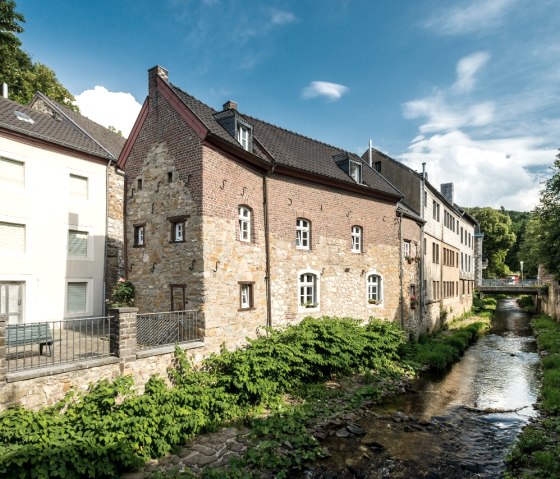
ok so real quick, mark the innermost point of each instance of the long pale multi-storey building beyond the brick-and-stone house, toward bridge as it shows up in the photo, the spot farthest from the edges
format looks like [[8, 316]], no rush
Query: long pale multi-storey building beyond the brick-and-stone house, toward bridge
[[451, 240]]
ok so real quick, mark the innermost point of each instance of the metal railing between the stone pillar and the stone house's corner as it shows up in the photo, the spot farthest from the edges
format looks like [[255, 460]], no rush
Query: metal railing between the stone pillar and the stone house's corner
[[161, 329]]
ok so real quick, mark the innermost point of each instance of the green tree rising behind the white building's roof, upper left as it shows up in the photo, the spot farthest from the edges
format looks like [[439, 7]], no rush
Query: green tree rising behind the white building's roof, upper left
[[23, 76]]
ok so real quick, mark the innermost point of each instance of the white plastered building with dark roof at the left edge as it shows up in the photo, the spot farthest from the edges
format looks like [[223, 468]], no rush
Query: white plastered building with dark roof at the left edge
[[60, 212]]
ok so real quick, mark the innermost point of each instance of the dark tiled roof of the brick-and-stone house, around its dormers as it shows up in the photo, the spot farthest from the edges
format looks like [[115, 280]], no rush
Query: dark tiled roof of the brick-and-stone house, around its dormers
[[288, 148]]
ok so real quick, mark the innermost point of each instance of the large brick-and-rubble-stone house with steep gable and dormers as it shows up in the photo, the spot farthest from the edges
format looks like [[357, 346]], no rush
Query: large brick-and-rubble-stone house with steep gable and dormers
[[256, 225]]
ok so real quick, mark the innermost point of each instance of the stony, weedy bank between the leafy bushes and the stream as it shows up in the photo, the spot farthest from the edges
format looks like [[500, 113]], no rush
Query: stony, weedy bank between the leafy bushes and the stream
[[302, 425]]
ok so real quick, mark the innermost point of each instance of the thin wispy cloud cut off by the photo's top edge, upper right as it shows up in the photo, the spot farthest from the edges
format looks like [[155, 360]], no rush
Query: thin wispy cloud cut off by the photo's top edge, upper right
[[475, 16]]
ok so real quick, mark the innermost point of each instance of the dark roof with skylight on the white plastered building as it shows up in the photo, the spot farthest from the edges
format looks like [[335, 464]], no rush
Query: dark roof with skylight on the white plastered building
[[63, 129]]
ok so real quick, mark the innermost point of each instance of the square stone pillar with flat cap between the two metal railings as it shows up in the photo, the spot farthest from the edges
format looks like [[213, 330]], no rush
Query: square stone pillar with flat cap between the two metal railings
[[122, 341]]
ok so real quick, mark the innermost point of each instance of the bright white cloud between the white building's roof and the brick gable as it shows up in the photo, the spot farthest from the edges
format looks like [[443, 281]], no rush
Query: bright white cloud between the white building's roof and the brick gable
[[108, 108]]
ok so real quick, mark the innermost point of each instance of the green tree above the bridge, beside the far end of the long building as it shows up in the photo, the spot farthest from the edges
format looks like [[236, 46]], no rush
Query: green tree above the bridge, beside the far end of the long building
[[498, 239]]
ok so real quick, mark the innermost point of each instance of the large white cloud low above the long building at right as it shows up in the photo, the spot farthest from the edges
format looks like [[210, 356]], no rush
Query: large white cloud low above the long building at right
[[484, 172]]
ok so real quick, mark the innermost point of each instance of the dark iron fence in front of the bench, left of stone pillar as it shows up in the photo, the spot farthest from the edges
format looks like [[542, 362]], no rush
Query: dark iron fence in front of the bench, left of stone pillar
[[42, 344]]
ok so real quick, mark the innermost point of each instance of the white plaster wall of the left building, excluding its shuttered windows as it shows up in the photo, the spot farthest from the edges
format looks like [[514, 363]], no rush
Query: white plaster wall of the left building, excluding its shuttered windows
[[46, 207]]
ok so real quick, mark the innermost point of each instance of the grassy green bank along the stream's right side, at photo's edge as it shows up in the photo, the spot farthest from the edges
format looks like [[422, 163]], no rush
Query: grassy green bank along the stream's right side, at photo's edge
[[537, 451]]
